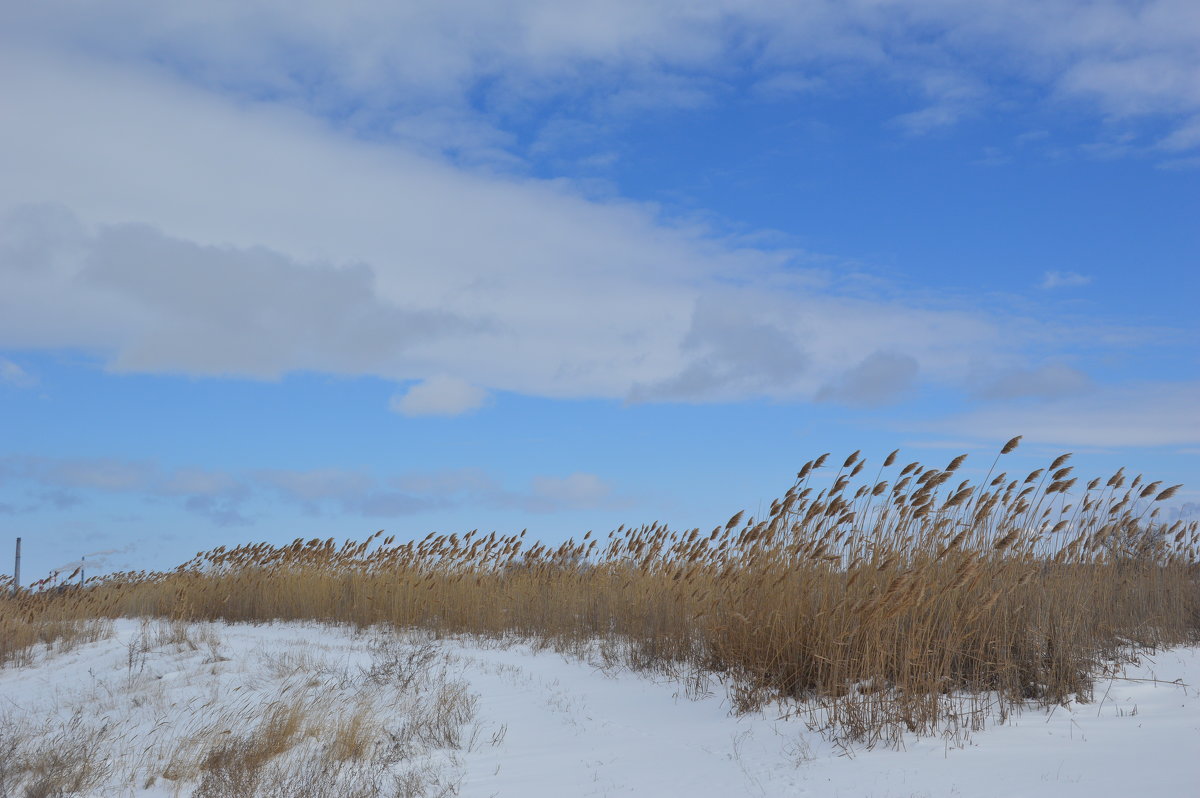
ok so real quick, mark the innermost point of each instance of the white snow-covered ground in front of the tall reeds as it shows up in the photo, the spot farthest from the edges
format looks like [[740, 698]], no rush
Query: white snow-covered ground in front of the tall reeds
[[537, 724]]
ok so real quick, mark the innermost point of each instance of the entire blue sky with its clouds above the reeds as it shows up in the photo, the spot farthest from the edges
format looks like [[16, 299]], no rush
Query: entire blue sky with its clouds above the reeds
[[308, 269]]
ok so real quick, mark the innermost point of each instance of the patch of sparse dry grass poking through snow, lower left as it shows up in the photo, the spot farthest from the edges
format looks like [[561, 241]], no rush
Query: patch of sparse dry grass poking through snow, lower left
[[173, 711]]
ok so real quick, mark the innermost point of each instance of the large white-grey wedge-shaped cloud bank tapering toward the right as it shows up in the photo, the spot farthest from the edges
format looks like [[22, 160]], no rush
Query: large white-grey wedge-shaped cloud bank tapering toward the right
[[267, 244]]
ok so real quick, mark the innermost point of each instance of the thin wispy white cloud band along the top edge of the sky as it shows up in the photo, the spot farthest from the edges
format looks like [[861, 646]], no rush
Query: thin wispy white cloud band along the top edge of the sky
[[399, 62]]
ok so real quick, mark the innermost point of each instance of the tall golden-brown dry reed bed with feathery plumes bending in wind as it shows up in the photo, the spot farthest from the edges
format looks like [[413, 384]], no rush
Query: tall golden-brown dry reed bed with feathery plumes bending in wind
[[909, 602]]
